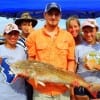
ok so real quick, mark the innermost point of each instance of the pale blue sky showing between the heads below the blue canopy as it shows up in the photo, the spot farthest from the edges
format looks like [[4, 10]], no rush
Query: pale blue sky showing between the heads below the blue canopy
[[4, 21]]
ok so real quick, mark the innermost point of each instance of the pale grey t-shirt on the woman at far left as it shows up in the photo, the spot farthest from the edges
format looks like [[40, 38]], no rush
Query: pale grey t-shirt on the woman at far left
[[14, 91]]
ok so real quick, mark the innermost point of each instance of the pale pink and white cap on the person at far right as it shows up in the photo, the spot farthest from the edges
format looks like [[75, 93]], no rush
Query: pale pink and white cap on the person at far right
[[90, 22]]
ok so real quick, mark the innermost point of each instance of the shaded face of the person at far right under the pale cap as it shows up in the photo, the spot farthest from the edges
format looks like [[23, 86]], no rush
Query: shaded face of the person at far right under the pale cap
[[89, 34]]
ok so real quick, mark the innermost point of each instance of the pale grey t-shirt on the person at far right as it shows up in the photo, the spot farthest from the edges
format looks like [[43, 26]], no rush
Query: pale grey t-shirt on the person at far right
[[82, 51]]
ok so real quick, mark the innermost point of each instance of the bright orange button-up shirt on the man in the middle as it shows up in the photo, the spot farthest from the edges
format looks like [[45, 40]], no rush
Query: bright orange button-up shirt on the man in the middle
[[57, 51]]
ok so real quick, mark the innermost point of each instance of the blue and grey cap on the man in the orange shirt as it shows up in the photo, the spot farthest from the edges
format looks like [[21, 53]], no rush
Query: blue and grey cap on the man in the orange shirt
[[52, 5]]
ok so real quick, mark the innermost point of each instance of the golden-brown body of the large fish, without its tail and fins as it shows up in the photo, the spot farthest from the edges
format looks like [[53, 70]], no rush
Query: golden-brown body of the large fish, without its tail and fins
[[44, 72]]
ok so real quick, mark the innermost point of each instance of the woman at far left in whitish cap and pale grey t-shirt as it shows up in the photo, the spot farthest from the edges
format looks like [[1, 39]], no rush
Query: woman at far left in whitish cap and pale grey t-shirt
[[13, 53]]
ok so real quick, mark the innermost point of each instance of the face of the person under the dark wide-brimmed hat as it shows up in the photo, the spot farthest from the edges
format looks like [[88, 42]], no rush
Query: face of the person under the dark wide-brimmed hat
[[25, 27]]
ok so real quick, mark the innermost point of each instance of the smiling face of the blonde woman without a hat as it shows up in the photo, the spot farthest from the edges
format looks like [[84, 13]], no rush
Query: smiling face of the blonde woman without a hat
[[74, 28]]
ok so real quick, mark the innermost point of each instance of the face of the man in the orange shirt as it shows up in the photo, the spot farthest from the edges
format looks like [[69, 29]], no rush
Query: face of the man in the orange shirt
[[52, 17]]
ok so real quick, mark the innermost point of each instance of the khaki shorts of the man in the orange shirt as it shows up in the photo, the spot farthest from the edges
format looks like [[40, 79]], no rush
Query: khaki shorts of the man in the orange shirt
[[39, 96]]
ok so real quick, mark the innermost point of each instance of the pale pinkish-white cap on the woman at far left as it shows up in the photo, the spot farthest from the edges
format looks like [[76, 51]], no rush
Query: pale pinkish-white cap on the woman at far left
[[11, 27]]
